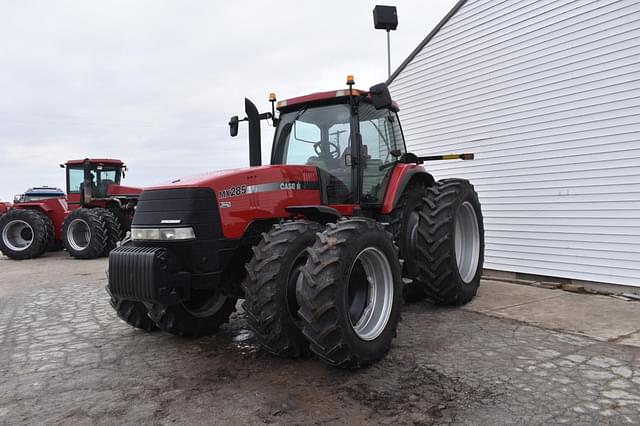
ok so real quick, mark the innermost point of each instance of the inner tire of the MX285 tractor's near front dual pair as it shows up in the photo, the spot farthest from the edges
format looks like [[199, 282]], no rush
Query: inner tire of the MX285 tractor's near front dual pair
[[273, 274]]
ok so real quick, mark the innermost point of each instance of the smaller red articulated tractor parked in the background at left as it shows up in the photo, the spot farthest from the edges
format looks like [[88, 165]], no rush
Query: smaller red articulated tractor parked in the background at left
[[88, 223]]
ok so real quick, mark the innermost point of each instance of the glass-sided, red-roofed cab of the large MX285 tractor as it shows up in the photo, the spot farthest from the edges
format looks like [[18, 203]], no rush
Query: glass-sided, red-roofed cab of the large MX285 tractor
[[319, 129]]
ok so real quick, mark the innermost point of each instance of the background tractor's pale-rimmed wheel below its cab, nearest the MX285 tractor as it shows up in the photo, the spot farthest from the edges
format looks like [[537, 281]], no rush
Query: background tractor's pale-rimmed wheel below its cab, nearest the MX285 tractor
[[84, 234]]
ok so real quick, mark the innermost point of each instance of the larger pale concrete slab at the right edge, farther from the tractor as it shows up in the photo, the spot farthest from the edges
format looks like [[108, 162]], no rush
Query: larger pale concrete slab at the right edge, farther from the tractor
[[595, 316]]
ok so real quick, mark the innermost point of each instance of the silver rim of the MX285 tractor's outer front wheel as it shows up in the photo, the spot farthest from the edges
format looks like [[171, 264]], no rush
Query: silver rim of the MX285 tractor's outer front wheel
[[370, 293]]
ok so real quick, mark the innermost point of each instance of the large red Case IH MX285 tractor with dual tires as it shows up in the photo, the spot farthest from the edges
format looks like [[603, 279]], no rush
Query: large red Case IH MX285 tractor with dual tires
[[319, 243]]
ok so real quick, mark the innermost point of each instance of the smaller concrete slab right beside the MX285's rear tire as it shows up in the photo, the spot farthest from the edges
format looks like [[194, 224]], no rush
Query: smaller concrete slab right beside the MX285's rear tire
[[494, 295]]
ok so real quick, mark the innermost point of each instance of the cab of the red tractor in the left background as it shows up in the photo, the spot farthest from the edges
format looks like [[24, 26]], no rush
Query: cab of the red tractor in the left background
[[90, 179]]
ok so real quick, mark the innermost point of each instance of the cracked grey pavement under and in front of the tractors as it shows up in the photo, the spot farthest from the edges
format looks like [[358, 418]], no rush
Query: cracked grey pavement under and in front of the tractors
[[65, 358]]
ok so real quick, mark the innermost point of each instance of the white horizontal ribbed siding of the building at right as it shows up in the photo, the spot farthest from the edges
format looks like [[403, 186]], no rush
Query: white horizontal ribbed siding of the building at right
[[547, 95]]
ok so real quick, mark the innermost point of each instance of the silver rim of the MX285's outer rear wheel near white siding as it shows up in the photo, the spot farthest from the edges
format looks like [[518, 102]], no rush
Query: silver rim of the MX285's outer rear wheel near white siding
[[467, 242]]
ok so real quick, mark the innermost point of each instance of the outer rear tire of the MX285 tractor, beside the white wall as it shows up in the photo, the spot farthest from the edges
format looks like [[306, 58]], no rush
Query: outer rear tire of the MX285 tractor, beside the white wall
[[451, 242]]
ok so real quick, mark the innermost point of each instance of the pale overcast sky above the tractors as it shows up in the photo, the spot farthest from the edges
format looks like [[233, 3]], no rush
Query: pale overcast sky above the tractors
[[154, 82]]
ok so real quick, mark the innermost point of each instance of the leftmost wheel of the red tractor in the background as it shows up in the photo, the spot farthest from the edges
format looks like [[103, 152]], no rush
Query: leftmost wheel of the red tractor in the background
[[24, 233]]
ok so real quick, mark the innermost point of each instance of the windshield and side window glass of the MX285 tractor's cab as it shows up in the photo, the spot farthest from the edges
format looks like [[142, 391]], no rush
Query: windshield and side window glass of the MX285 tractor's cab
[[321, 136]]
